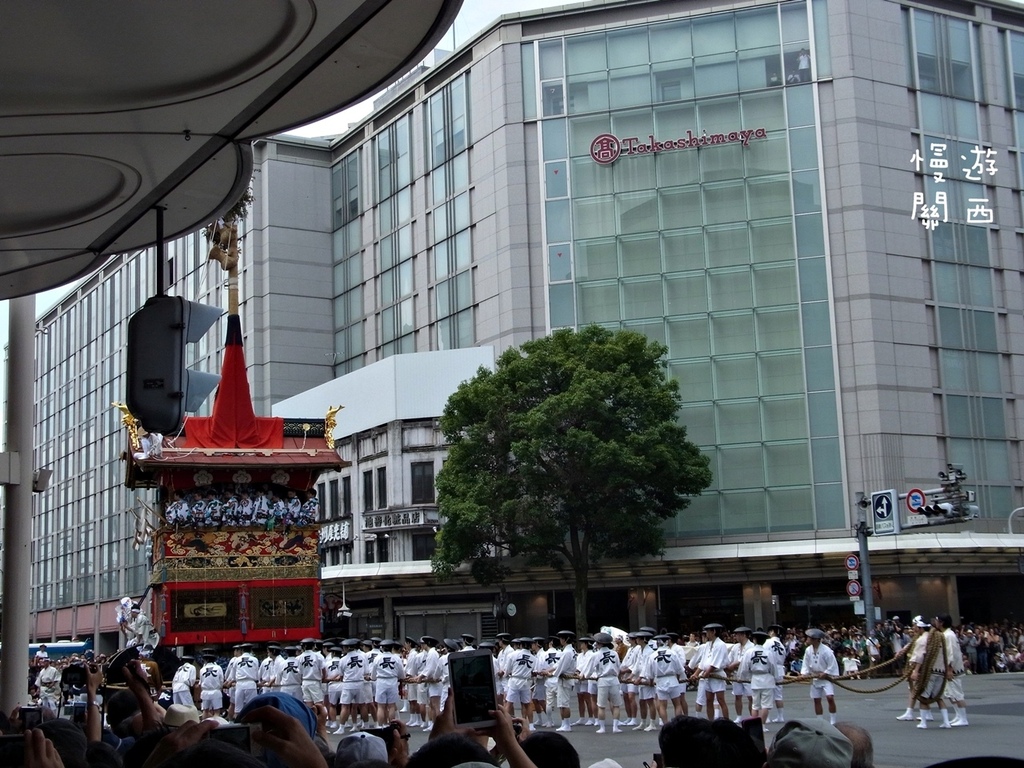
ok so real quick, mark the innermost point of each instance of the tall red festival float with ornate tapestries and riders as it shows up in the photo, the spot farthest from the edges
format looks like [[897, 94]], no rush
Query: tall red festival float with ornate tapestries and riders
[[235, 533]]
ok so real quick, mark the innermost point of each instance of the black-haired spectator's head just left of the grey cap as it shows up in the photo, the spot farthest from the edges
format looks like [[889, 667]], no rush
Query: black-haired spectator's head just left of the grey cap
[[710, 744]]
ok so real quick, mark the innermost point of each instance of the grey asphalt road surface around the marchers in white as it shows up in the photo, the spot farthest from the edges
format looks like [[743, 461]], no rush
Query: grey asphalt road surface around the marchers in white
[[996, 709]]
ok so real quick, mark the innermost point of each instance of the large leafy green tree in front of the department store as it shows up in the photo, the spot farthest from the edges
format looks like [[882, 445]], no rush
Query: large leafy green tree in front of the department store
[[567, 454]]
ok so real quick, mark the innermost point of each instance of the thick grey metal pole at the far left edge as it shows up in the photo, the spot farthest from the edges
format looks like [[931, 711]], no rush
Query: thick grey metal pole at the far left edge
[[18, 503]]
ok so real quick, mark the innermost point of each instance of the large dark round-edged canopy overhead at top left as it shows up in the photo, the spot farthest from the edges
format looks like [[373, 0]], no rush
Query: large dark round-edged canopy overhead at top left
[[110, 108]]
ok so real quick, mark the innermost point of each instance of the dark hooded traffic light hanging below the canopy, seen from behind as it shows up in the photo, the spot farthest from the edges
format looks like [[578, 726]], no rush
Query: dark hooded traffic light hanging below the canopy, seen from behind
[[161, 390]]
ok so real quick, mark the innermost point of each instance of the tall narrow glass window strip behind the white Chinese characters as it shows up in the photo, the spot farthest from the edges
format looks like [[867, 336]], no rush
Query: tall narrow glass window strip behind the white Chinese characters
[[971, 340]]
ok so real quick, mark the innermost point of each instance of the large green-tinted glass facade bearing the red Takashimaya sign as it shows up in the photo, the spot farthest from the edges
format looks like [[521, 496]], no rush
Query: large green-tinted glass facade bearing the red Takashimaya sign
[[717, 251]]
